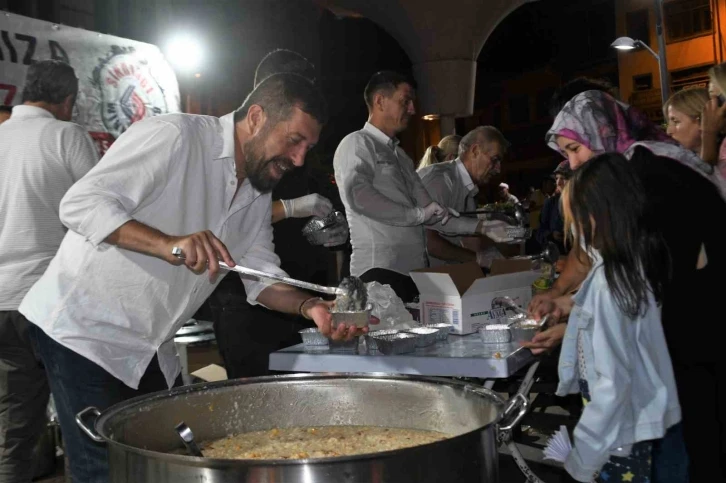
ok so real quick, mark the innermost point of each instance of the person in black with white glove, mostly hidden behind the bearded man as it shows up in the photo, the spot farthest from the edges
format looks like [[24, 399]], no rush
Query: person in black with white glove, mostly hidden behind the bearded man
[[247, 334]]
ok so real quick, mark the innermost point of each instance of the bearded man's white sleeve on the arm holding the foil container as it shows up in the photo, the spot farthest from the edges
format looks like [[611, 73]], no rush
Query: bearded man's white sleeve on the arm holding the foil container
[[261, 256]]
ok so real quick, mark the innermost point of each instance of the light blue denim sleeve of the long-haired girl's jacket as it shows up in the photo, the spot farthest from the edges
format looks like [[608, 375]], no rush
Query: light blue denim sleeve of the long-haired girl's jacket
[[605, 415]]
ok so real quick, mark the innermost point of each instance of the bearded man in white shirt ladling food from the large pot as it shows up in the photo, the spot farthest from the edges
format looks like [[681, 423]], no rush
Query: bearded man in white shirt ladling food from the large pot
[[107, 308]]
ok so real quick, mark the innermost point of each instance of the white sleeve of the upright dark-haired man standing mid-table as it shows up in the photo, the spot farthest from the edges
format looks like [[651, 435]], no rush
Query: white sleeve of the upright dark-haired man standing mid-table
[[354, 173]]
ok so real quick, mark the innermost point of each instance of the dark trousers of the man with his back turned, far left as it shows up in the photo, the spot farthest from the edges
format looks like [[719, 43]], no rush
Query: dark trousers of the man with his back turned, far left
[[23, 399]]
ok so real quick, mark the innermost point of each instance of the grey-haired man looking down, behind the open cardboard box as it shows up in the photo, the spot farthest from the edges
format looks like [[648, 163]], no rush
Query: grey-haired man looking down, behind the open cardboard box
[[456, 184]]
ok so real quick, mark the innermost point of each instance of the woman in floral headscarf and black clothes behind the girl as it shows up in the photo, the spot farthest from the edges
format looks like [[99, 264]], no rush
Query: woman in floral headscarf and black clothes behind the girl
[[685, 201]]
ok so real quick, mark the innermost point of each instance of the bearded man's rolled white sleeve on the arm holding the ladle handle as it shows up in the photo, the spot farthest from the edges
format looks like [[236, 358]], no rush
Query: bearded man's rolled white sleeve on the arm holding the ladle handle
[[132, 174]]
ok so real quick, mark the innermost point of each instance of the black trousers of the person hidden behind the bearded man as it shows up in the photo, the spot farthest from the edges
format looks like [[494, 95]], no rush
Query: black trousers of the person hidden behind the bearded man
[[248, 334]]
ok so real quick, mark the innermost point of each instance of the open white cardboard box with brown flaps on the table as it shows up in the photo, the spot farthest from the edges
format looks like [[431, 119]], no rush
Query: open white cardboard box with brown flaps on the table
[[461, 295]]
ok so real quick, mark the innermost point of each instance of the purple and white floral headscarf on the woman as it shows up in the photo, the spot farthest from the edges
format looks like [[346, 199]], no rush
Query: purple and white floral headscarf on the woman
[[597, 120]]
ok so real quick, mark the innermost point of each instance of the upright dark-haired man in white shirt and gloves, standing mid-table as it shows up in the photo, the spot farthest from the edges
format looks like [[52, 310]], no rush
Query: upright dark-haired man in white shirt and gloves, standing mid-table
[[386, 204]]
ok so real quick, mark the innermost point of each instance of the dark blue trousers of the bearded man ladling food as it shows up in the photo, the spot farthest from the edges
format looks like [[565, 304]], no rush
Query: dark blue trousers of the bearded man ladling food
[[77, 383]]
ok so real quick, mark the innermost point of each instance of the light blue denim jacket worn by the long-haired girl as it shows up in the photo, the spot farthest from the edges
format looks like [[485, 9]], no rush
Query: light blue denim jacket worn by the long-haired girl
[[628, 371]]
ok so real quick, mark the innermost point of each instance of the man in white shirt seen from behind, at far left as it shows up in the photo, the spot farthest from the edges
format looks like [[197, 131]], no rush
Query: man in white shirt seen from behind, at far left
[[41, 155]]
